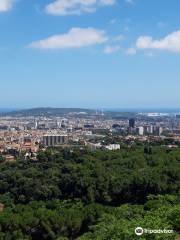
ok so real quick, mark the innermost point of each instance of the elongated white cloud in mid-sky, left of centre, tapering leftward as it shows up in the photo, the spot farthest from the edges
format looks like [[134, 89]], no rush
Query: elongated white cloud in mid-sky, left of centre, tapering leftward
[[75, 38]]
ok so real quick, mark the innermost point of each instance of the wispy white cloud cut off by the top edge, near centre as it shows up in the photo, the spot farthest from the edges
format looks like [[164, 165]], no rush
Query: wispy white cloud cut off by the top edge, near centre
[[75, 7]]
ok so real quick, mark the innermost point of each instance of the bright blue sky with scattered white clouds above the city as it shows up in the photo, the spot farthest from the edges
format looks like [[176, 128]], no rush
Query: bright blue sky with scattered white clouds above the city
[[90, 53]]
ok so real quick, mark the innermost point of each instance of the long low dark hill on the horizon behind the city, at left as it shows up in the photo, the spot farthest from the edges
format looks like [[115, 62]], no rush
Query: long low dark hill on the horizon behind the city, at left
[[48, 112]]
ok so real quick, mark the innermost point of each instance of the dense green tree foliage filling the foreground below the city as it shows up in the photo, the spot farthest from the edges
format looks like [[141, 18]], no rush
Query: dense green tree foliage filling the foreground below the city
[[78, 194]]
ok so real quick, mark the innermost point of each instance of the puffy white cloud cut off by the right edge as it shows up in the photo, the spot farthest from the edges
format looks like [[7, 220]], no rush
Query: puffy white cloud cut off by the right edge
[[169, 43]]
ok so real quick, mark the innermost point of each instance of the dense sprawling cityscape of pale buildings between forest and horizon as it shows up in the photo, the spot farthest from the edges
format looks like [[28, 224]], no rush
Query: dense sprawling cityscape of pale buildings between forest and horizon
[[25, 135]]
